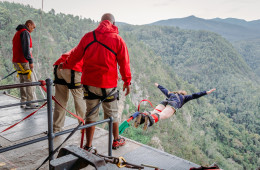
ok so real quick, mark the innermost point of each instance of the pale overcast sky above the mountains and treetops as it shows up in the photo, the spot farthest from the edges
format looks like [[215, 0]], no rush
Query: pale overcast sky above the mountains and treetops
[[147, 11]]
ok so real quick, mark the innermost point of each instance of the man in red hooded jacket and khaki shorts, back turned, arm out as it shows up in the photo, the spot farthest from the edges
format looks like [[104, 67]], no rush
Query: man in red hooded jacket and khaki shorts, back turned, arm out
[[101, 51]]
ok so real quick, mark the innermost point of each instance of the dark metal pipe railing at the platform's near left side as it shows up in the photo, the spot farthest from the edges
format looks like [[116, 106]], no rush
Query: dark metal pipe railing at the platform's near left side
[[50, 135]]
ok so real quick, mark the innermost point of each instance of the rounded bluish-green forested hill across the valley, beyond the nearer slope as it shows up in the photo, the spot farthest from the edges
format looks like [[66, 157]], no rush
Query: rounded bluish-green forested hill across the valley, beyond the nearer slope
[[206, 60]]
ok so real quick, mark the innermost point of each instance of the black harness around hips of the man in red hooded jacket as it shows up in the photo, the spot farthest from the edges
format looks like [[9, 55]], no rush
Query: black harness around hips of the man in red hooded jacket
[[92, 96]]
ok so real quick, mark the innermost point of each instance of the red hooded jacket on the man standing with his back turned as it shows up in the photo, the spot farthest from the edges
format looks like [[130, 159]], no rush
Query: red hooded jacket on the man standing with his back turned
[[99, 63]]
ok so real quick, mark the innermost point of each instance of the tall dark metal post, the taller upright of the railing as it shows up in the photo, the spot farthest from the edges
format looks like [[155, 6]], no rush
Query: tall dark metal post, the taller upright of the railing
[[50, 117]]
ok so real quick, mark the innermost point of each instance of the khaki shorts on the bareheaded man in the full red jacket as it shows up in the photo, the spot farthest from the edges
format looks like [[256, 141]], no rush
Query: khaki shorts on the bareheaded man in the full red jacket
[[110, 108]]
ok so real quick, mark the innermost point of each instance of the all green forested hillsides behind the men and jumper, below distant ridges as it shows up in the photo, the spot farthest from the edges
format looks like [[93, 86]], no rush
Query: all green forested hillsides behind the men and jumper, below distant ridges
[[222, 127]]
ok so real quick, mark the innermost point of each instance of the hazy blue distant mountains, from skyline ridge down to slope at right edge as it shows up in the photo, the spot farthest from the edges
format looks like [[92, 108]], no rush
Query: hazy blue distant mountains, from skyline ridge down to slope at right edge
[[244, 35]]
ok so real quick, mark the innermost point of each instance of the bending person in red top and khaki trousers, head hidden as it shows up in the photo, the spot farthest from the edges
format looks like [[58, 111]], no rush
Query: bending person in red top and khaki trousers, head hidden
[[67, 79]]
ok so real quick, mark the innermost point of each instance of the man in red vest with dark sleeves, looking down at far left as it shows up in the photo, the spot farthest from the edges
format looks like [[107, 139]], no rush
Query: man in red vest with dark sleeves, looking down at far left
[[23, 61]]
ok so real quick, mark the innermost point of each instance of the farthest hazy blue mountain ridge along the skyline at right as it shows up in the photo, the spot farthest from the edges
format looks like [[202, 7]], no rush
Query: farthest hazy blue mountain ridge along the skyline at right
[[226, 27]]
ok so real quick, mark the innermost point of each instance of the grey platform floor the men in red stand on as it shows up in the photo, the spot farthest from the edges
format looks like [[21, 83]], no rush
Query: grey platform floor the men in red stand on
[[31, 156]]
